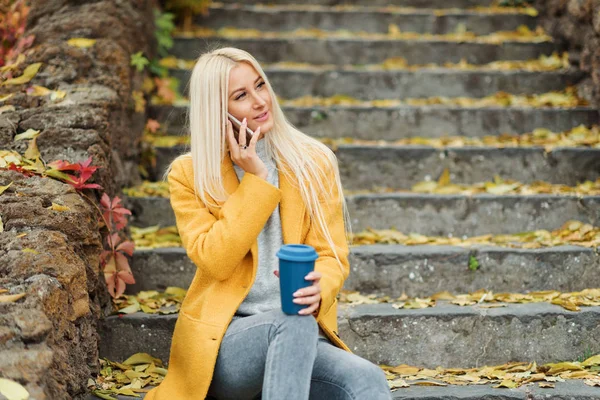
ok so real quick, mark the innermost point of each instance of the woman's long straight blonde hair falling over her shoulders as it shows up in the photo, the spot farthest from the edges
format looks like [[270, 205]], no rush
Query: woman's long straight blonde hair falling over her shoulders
[[207, 115]]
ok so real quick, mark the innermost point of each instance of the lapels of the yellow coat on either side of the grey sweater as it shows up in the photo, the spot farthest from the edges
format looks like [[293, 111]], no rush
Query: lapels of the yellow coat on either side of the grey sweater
[[291, 207]]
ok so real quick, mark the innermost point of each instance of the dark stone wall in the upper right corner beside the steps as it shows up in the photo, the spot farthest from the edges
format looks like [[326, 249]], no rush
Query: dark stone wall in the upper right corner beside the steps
[[576, 25]]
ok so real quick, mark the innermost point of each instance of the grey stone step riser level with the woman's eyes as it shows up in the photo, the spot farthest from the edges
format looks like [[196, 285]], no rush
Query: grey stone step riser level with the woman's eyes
[[290, 83]]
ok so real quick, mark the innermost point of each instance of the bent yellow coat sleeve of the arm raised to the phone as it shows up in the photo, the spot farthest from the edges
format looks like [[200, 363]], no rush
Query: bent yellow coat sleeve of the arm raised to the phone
[[218, 246]]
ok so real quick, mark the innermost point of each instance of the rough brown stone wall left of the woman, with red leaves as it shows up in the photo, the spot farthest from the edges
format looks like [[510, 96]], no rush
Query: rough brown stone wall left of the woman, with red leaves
[[48, 339]]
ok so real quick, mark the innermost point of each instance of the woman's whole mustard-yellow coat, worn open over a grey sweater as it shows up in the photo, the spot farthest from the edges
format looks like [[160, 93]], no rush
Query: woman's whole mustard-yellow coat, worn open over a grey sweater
[[223, 245]]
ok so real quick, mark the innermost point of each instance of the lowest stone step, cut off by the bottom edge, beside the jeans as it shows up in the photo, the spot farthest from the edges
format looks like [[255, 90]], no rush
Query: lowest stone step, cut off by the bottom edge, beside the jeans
[[572, 390]]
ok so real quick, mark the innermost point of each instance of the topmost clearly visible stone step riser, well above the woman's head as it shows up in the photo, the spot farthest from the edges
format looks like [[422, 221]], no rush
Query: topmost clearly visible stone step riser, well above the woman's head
[[367, 19]]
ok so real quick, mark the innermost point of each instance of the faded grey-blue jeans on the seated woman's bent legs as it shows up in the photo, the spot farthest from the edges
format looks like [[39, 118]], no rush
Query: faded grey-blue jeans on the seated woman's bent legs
[[279, 356]]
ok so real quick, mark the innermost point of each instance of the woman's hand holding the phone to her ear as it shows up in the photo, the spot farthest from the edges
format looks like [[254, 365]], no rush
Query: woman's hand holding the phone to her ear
[[247, 159]]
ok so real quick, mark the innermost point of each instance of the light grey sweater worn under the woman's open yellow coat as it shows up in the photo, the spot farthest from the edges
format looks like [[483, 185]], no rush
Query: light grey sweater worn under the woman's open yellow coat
[[264, 294]]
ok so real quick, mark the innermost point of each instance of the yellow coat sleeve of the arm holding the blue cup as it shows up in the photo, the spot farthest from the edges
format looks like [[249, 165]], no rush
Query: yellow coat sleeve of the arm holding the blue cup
[[333, 276]]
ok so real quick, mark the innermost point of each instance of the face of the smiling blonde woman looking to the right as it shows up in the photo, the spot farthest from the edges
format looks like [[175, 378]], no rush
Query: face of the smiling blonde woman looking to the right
[[249, 97]]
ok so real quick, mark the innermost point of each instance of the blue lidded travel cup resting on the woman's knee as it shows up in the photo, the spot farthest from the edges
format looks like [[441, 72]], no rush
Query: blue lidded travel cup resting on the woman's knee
[[295, 262]]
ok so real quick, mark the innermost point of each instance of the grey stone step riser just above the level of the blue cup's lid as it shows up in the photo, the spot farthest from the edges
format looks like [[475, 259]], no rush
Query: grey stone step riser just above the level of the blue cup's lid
[[431, 214]]
